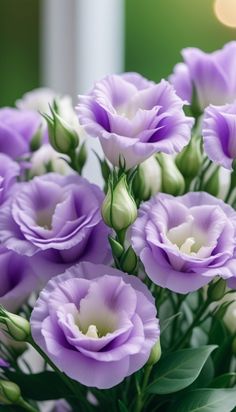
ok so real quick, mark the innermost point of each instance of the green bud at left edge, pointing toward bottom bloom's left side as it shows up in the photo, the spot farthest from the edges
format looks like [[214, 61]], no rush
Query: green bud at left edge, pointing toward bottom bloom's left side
[[16, 326]]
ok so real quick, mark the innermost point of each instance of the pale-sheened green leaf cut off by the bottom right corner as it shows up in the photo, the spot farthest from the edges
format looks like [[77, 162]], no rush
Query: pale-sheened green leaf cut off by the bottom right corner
[[206, 400]]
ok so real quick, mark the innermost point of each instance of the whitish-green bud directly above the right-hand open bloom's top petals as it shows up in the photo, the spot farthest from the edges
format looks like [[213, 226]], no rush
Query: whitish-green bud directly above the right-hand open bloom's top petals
[[172, 180]]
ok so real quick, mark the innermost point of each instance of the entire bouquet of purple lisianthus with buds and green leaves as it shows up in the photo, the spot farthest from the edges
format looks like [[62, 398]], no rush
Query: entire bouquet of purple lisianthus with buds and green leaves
[[126, 291]]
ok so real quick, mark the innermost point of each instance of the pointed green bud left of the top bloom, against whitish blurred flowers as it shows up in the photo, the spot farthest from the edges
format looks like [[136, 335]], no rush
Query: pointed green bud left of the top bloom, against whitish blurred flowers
[[63, 138]]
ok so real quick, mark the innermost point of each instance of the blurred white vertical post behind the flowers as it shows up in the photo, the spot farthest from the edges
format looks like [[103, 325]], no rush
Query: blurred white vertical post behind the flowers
[[81, 41]]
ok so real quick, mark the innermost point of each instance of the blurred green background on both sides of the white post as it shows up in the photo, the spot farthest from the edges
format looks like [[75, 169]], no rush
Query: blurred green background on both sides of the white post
[[156, 31]]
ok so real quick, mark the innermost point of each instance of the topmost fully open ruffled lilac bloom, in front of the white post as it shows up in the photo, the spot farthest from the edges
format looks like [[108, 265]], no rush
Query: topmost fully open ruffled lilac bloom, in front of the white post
[[134, 118]]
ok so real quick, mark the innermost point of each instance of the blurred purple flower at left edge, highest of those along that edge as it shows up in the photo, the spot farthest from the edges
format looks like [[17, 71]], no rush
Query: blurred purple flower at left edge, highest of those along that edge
[[17, 128]]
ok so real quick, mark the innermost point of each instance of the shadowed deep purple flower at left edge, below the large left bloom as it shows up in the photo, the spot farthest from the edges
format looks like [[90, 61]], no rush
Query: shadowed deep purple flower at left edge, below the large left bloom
[[17, 280]]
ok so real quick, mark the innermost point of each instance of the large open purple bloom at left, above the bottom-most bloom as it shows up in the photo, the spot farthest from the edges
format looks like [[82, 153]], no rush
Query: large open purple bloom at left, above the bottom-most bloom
[[57, 220]]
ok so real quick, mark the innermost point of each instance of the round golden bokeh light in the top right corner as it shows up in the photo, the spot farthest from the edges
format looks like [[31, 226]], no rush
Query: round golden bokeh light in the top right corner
[[225, 11]]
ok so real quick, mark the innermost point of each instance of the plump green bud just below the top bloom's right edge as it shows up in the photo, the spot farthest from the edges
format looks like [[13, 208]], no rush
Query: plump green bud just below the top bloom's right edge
[[189, 160]]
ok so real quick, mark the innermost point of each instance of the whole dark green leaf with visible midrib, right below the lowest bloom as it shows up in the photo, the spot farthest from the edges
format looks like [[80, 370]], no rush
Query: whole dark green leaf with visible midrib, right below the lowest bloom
[[177, 370]]
